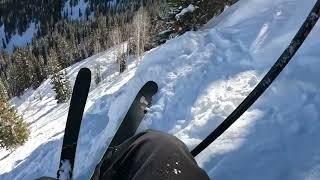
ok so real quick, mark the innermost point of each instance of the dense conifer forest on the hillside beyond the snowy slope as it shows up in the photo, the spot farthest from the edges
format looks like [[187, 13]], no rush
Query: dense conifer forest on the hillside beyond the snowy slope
[[60, 41]]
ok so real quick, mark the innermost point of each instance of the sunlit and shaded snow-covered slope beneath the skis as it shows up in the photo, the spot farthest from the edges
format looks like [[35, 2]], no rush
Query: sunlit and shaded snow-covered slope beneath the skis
[[202, 77]]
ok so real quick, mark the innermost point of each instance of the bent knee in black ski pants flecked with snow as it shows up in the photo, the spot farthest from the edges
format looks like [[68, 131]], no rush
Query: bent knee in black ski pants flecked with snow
[[150, 155]]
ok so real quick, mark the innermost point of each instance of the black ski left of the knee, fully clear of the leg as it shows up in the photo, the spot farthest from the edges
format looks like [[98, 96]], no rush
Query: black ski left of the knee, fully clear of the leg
[[77, 104]]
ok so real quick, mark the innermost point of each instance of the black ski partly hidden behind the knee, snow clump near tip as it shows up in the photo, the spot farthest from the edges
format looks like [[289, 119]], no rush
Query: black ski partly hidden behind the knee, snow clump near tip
[[133, 118]]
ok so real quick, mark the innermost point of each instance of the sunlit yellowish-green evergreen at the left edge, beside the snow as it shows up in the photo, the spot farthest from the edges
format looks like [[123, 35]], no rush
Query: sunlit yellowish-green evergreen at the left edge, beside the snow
[[13, 130]]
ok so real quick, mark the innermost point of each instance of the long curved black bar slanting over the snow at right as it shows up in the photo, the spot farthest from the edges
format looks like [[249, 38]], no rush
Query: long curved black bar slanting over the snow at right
[[266, 81]]
